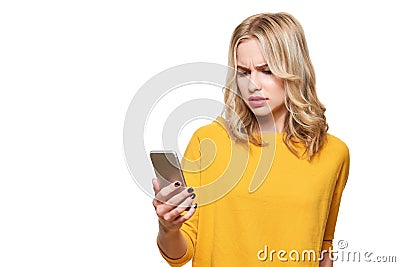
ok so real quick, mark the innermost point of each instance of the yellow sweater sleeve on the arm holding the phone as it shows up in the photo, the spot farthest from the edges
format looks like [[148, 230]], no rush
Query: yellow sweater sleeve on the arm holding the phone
[[191, 170]]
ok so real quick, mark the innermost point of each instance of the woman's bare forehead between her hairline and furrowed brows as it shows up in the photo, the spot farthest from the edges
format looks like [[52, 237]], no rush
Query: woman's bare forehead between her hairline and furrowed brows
[[250, 52]]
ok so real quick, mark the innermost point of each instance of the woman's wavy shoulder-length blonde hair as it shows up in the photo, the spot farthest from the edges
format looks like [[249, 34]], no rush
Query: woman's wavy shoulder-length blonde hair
[[286, 53]]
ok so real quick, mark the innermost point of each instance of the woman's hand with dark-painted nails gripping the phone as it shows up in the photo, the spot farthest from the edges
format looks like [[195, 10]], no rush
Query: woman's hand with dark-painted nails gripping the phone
[[170, 202]]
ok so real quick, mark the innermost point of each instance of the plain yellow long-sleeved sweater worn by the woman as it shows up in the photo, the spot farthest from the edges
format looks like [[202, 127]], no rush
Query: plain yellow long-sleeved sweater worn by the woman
[[285, 219]]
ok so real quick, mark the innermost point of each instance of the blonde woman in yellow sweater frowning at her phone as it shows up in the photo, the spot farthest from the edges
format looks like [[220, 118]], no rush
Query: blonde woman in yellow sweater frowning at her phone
[[282, 209]]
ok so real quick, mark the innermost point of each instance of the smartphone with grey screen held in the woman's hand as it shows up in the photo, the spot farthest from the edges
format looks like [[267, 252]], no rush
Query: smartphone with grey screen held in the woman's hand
[[167, 167]]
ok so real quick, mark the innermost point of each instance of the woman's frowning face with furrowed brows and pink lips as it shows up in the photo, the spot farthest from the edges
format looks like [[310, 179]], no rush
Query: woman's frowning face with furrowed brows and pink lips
[[260, 89]]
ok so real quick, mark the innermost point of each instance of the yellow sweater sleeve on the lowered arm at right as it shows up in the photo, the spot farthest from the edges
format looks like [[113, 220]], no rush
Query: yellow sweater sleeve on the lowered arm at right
[[335, 203]]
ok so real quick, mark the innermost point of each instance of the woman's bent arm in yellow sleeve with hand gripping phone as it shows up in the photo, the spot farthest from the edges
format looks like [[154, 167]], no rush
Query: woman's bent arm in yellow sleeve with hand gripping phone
[[178, 230]]
